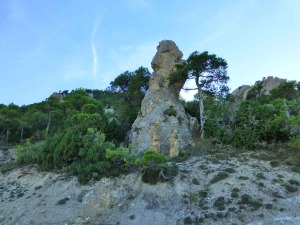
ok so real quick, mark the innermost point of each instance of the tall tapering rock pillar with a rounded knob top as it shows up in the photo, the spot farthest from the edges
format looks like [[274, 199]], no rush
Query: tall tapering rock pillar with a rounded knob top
[[163, 125]]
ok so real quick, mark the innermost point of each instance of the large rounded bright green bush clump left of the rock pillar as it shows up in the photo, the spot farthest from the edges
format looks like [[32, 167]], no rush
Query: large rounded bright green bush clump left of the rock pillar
[[85, 153]]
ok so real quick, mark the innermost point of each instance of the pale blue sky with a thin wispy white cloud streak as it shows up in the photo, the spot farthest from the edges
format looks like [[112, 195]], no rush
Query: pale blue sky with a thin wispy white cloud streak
[[52, 45]]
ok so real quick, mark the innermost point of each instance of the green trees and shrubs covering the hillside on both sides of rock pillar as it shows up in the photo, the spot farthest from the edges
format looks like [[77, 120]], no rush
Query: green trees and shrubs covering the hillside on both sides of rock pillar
[[81, 132]]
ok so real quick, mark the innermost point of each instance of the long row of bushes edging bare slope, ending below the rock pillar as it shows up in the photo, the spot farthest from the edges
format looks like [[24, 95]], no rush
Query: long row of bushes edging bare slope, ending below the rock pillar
[[89, 156]]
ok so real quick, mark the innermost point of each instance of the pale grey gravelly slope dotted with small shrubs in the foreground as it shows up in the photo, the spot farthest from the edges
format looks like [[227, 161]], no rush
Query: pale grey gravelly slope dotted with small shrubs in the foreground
[[218, 188]]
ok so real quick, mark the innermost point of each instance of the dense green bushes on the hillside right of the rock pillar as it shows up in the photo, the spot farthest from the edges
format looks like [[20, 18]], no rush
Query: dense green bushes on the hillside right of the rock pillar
[[259, 118]]
